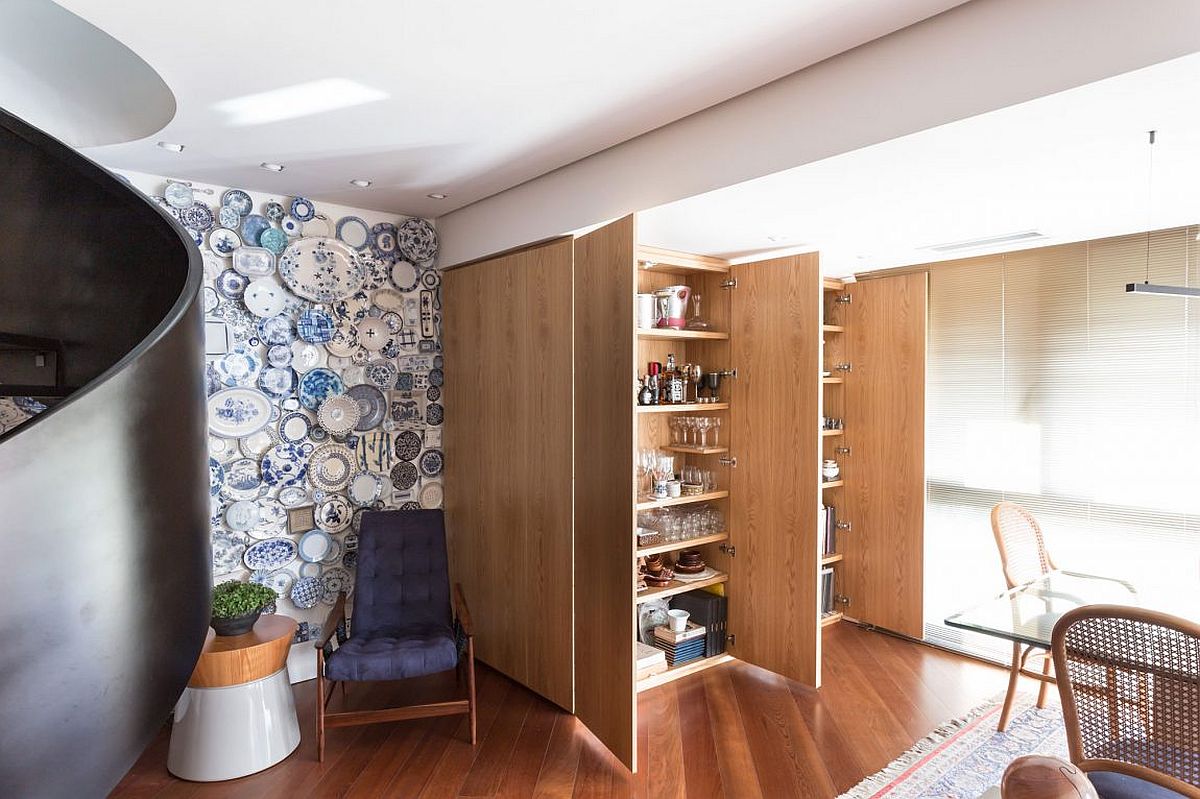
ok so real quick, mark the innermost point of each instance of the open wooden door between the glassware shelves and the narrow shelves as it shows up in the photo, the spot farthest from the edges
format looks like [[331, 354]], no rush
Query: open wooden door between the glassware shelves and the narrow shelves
[[776, 313]]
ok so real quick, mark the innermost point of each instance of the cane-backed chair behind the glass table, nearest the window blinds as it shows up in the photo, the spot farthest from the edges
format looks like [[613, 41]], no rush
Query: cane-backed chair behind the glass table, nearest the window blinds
[[1024, 558]]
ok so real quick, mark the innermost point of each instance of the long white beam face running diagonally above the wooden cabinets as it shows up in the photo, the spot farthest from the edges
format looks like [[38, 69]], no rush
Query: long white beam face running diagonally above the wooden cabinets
[[973, 59]]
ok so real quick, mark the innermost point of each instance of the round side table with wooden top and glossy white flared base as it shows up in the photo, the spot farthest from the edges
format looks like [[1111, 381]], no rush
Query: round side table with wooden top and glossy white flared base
[[238, 713]]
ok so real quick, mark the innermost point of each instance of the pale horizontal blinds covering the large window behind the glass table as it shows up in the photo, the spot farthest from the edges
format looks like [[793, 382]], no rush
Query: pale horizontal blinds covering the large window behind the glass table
[[1051, 387]]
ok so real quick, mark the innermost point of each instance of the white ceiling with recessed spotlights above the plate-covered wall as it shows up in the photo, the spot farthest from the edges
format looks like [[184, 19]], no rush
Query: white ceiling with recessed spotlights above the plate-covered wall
[[464, 99]]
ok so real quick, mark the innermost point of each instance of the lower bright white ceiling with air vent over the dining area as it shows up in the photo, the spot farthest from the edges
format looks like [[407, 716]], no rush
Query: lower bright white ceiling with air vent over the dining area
[[1073, 166]]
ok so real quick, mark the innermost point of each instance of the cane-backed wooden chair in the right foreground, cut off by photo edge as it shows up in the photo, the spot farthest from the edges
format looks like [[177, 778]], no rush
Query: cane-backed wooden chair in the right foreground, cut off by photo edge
[[1130, 682]]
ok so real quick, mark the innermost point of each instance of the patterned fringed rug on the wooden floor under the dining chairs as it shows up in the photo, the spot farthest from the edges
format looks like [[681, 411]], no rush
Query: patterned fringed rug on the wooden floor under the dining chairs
[[964, 758]]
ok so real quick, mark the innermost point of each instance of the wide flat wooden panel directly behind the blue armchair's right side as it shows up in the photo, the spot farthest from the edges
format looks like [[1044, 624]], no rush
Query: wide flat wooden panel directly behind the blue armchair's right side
[[507, 327]]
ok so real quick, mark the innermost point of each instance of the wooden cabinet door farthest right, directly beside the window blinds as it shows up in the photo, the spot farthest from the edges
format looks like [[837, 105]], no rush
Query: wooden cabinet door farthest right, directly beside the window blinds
[[885, 472]]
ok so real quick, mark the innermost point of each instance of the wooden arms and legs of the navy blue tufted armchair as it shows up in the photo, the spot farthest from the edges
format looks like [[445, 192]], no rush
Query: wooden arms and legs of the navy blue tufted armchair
[[353, 718]]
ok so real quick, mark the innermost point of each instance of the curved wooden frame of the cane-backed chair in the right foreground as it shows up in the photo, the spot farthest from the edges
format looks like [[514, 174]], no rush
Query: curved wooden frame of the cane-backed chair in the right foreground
[[1067, 692]]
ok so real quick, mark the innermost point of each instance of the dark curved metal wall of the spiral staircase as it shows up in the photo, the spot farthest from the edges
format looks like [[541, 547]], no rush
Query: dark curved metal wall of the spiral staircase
[[105, 566]]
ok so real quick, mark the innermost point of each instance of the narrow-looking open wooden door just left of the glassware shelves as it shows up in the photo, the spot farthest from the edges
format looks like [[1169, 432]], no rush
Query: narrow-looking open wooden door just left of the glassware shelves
[[605, 695]]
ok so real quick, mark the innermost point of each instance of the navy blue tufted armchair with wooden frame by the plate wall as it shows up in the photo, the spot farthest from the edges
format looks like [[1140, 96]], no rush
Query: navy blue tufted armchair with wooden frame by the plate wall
[[405, 623]]
